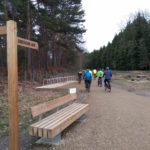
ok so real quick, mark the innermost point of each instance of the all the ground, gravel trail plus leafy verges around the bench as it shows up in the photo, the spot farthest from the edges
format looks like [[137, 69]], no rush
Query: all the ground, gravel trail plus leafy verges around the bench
[[119, 120]]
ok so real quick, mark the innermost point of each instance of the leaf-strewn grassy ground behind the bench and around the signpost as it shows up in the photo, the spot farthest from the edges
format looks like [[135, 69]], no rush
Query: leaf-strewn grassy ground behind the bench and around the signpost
[[27, 97]]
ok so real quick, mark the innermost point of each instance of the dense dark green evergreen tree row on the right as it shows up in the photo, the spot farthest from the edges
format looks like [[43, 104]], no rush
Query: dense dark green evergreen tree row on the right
[[130, 49]]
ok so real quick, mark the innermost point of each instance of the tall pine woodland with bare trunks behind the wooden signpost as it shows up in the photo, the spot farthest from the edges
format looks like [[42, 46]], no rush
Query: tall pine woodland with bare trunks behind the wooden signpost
[[57, 25]]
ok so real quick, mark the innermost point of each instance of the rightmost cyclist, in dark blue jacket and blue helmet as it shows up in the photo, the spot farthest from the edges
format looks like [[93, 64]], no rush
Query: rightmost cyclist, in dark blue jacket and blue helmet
[[108, 76]]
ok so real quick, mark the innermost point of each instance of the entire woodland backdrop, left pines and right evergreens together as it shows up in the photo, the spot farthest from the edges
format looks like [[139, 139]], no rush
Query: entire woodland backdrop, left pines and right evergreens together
[[58, 27]]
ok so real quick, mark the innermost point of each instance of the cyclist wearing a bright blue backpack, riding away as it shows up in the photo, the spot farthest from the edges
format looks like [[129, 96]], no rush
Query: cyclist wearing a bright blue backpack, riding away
[[88, 79]]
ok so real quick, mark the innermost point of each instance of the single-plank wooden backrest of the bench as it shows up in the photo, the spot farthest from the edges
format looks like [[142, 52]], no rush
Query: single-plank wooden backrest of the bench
[[47, 106]]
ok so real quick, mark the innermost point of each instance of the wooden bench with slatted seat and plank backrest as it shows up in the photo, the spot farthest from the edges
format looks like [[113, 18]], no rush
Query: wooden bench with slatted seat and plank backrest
[[56, 122]]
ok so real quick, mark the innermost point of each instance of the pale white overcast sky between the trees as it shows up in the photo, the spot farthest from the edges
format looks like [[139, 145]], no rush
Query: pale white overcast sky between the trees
[[105, 18]]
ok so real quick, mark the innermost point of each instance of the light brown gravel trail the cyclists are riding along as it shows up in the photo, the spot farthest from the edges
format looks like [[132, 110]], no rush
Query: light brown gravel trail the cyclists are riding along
[[119, 120]]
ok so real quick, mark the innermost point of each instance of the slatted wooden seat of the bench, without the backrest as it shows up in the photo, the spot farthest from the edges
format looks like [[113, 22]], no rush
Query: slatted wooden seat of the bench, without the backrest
[[57, 122]]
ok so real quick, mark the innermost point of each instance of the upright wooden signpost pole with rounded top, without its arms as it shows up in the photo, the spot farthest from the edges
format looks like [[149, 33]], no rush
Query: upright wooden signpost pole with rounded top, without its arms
[[12, 65]]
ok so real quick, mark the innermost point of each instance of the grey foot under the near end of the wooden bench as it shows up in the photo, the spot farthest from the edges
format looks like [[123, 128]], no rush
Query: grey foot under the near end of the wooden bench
[[50, 141]]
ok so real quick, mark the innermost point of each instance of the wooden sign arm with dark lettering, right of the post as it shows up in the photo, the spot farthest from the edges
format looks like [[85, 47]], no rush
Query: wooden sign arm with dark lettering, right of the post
[[27, 43]]
